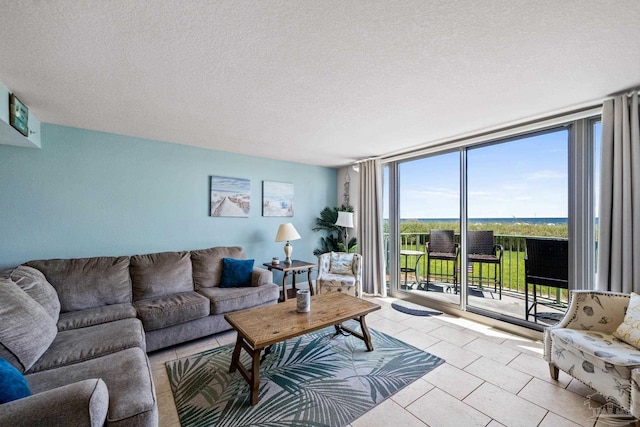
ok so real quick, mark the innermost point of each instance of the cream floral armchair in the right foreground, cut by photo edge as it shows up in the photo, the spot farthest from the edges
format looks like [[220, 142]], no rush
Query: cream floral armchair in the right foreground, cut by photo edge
[[597, 342]]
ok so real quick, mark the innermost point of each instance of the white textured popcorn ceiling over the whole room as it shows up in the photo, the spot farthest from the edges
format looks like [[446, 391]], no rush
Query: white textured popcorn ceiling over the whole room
[[318, 82]]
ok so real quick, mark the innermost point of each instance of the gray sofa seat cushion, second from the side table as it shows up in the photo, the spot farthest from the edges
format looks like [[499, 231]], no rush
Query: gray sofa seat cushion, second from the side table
[[158, 313]]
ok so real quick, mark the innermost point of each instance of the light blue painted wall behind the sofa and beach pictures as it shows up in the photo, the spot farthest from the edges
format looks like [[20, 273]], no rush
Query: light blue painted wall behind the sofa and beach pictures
[[87, 193]]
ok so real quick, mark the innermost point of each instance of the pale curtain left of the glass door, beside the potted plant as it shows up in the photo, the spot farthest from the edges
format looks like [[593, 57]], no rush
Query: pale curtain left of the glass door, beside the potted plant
[[370, 240]]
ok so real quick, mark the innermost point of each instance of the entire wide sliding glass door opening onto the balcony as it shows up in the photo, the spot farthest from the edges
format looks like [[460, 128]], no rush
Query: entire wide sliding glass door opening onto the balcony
[[465, 224]]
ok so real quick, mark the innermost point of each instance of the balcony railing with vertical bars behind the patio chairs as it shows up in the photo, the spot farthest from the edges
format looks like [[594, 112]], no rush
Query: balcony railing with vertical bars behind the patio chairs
[[513, 268]]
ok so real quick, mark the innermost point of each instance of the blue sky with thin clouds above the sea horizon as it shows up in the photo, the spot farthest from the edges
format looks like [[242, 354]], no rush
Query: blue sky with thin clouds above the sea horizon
[[522, 178]]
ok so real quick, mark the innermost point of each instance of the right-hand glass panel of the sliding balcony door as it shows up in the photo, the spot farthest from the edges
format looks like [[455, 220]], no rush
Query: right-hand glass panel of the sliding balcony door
[[517, 198]]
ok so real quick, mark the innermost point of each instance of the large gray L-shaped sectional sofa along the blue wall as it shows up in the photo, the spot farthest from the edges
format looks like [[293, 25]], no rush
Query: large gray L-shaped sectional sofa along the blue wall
[[79, 329]]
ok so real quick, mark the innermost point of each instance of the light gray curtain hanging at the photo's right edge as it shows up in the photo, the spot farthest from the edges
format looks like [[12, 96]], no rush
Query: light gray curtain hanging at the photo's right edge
[[619, 227]]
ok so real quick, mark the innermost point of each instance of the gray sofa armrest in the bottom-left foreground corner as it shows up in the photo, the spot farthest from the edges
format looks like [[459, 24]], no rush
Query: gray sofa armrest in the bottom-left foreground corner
[[84, 403]]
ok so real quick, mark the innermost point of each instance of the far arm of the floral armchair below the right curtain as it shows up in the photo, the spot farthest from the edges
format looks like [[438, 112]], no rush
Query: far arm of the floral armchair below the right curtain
[[597, 311]]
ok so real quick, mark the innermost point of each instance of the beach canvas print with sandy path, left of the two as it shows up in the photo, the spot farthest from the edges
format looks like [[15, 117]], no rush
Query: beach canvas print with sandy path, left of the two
[[230, 196]]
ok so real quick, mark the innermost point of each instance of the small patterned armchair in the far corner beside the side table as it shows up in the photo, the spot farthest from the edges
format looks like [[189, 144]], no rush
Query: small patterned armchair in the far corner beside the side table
[[340, 272]]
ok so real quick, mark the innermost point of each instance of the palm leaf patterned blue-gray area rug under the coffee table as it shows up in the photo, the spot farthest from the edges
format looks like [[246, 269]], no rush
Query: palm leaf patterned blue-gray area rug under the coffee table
[[318, 379]]
